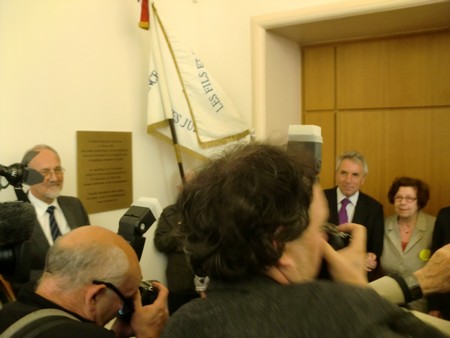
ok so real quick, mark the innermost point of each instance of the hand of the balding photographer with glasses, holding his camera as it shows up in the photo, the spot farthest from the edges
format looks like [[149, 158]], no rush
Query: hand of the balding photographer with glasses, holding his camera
[[147, 320]]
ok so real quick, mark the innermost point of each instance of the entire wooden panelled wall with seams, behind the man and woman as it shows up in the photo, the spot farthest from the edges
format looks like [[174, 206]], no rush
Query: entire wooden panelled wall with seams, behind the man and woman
[[392, 104]]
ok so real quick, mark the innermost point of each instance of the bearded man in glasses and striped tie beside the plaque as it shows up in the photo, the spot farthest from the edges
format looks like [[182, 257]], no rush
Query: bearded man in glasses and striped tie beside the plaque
[[68, 212]]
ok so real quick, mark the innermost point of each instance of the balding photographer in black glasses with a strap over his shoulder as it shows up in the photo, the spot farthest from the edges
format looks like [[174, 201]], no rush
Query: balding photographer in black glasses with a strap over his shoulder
[[90, 274]]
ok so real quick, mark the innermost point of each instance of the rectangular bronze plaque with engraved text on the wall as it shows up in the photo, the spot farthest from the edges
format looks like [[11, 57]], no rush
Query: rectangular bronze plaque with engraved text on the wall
[[104, 170]]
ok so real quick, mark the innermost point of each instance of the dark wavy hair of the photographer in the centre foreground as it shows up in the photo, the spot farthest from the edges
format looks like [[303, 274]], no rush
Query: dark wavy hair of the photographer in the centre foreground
[[241, 209]]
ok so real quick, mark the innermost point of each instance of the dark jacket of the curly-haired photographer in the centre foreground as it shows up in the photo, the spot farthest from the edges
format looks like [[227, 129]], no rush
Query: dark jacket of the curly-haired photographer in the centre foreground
[[263, 308]]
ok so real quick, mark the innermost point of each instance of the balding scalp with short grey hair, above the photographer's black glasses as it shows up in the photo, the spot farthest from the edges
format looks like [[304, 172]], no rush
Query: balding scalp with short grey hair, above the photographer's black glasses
[[72, 264]]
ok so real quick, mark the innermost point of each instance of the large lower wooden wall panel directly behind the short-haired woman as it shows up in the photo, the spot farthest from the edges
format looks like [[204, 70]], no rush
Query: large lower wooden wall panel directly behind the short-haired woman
[[403, 142]]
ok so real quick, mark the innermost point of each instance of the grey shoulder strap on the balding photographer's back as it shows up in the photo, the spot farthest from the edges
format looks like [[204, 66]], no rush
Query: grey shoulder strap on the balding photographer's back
[[24, 324]]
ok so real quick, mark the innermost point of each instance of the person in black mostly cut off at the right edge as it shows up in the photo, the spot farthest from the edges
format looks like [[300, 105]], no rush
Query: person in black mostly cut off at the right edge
[[439, 305]]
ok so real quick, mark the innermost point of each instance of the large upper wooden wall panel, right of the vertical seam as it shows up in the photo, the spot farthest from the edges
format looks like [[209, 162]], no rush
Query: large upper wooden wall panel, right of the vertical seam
[[408, 71]]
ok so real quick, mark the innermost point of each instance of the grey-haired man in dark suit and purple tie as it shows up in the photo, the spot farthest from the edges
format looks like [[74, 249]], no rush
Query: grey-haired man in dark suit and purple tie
[[351, 171]]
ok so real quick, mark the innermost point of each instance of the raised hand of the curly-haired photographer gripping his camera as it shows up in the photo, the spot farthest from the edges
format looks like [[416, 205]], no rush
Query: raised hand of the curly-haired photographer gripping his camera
[[349, 264]]
